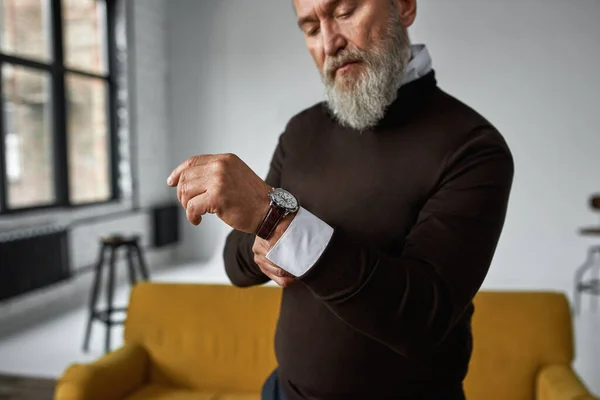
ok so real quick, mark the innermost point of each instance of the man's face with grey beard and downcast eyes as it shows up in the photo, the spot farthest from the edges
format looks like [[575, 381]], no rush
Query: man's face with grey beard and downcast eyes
[[361, 48]]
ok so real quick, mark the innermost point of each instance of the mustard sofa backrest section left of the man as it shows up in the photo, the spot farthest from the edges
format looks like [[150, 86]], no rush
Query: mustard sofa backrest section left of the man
[[205, 337]]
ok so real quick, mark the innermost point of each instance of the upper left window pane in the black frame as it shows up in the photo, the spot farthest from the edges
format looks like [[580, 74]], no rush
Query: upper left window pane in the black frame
[[26, 28]]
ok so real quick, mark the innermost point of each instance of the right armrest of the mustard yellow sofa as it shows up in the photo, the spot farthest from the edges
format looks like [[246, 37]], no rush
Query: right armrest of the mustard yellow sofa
[[560, 382]]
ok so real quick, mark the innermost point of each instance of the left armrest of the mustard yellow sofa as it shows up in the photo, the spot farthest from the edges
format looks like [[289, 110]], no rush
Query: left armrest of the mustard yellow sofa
[[112, 377]]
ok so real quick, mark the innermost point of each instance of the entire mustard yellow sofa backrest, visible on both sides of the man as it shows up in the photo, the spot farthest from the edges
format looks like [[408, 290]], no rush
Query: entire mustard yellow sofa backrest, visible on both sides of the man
[[221, 338]]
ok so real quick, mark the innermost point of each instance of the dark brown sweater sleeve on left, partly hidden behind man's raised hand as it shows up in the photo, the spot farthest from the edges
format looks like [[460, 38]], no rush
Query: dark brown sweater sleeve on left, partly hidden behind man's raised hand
[[237, 253]]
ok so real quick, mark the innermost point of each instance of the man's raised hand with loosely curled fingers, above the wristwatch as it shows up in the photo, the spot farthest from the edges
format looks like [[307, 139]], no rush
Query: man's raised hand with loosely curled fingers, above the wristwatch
[[224, 185]]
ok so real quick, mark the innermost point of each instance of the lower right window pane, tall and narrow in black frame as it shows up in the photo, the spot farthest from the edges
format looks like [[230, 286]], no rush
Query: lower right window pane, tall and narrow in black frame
[[89, 156]]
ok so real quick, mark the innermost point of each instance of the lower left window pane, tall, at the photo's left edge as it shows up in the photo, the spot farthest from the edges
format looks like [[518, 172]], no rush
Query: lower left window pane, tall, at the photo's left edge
[[28, 137]]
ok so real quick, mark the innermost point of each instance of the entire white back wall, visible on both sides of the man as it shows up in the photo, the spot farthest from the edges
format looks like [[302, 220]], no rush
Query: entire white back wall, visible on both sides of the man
[[240, 70]]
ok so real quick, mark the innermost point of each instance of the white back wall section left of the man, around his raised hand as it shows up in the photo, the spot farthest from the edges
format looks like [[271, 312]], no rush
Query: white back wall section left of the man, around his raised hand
[[237, 76]]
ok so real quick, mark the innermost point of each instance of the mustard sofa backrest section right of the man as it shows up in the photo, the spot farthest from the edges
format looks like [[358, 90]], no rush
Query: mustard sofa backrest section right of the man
[[514, 335]]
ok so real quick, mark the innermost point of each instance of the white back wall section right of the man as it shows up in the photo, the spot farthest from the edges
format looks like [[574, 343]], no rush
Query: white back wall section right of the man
[[532, 70]]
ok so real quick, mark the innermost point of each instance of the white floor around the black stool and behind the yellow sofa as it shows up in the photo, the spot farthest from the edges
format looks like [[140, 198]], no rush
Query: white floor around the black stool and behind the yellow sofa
[[45, 351]]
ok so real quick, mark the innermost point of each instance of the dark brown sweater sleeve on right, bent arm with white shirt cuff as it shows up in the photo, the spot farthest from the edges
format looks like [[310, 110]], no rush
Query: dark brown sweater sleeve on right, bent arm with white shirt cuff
[[412, 301]]
